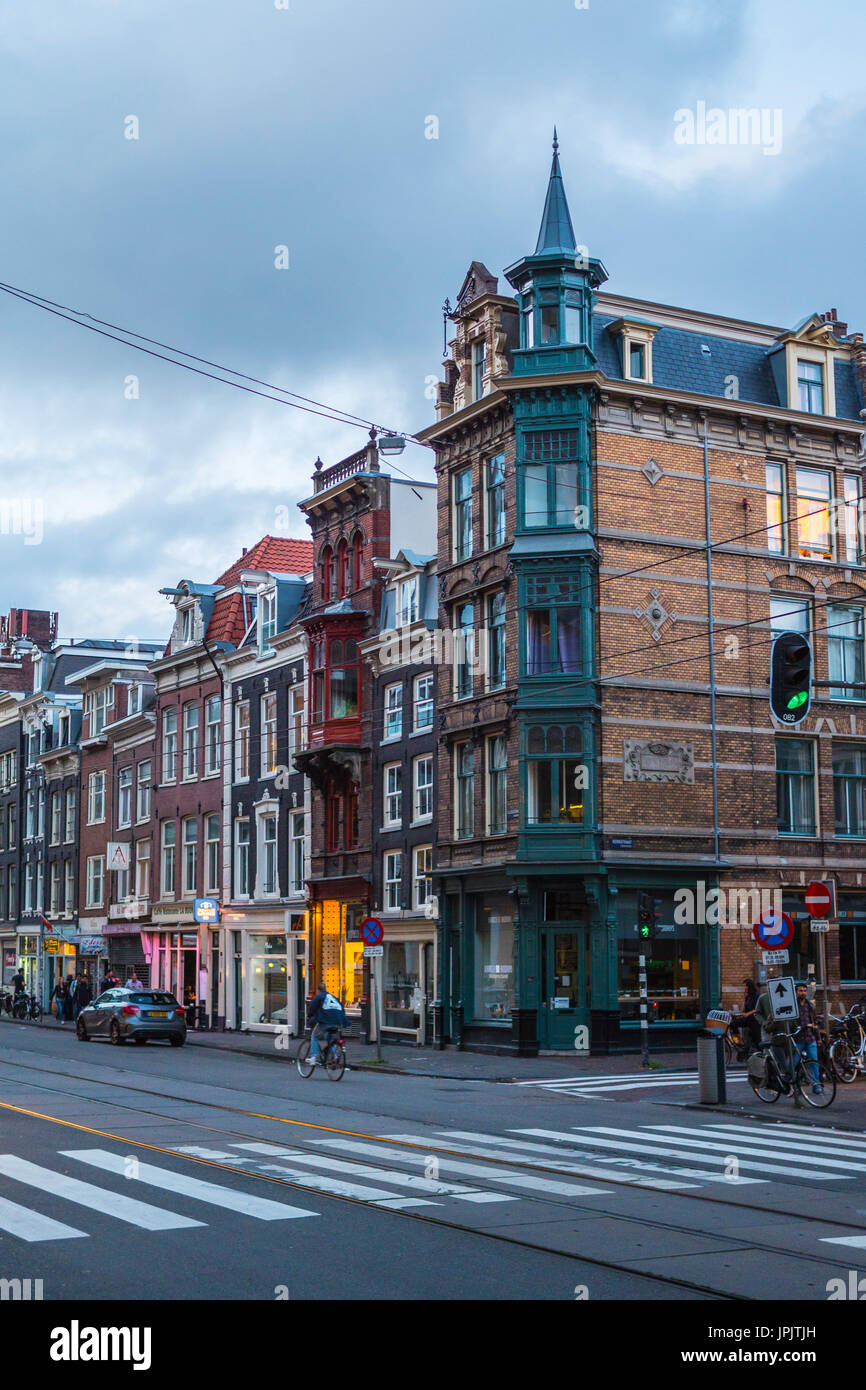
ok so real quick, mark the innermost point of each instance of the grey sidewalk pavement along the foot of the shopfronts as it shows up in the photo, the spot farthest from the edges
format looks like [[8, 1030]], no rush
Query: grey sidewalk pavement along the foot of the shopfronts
[[448, 1065]]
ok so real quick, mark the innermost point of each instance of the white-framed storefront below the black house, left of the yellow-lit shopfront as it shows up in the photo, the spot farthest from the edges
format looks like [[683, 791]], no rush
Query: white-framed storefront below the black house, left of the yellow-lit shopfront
[[266, 976]]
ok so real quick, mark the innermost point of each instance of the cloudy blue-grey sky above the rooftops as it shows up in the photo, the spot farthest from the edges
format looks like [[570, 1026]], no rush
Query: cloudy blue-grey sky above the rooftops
[[304, 124]]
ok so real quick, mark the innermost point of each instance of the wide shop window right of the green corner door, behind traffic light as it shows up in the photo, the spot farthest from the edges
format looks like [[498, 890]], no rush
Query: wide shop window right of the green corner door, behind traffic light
[[672, 964]]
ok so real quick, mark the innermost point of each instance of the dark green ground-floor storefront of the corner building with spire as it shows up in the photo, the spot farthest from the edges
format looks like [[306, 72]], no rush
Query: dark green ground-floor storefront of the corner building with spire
[[553, 965]]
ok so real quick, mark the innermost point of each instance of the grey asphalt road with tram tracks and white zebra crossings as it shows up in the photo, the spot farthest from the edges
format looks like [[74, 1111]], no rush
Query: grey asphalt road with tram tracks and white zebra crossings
[[194, 1174]]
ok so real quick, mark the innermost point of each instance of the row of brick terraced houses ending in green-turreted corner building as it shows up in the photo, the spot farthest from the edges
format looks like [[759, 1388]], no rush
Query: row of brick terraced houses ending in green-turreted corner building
[[501, 712]]
